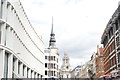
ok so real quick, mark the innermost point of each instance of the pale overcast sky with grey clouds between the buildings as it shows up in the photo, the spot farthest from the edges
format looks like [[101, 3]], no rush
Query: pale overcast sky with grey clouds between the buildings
[[78, 24]]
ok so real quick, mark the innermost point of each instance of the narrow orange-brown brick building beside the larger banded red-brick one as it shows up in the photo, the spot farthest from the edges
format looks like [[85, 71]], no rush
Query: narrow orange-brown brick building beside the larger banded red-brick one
[[99, 62]]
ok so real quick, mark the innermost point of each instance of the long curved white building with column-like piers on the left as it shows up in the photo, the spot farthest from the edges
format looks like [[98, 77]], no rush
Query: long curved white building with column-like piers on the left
[[21, 49]]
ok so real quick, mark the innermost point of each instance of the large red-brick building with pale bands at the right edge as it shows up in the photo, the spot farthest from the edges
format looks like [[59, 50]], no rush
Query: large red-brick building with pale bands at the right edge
[[111, 43]]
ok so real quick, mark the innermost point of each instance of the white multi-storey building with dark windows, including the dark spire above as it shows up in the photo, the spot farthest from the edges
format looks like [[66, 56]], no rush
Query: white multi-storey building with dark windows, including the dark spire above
[[51, 57]]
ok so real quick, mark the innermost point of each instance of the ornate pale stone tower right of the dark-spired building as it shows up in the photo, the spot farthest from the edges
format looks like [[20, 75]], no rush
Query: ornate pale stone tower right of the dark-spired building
[[65, 71]]
